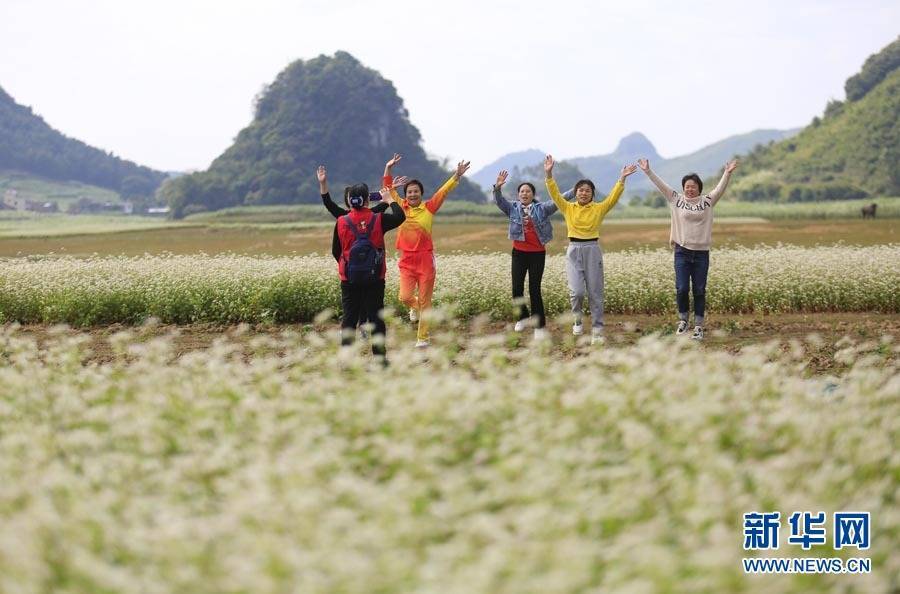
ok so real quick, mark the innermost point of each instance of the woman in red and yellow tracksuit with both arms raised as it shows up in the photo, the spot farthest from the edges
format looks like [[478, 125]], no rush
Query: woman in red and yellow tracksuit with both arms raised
[[414, 244]]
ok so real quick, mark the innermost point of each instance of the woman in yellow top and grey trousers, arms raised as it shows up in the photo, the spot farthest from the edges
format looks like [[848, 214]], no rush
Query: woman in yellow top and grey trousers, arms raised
[[584, 258]]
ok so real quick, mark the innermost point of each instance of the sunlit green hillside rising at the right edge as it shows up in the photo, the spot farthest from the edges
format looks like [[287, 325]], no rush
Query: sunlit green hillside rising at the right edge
[[852, 151]]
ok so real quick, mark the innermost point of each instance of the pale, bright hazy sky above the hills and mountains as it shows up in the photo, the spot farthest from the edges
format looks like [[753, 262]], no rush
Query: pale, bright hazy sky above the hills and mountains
[[170, 83]]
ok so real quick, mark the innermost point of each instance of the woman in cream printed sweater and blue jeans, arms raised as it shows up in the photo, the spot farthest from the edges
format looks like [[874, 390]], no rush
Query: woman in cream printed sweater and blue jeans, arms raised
[[690, 236]]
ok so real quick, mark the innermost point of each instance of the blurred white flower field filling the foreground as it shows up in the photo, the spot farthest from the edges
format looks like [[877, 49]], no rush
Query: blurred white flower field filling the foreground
[[288, 464]]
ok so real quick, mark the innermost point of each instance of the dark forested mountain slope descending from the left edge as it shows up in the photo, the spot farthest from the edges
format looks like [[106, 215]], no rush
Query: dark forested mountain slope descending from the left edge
[[31, 146]]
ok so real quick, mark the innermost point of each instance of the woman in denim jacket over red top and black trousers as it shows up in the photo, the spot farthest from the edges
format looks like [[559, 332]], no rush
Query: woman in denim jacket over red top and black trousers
[[530, 230]]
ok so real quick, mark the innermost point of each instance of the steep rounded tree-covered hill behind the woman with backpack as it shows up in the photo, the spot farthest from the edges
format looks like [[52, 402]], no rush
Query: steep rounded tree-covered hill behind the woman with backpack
[[329, 110]]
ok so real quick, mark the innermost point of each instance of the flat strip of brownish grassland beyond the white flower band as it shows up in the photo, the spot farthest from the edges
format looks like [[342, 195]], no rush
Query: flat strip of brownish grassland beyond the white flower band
[[130, 236]]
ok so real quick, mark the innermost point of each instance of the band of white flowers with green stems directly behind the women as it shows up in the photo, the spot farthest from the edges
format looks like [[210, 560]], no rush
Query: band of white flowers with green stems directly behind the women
[[230, 289]]
